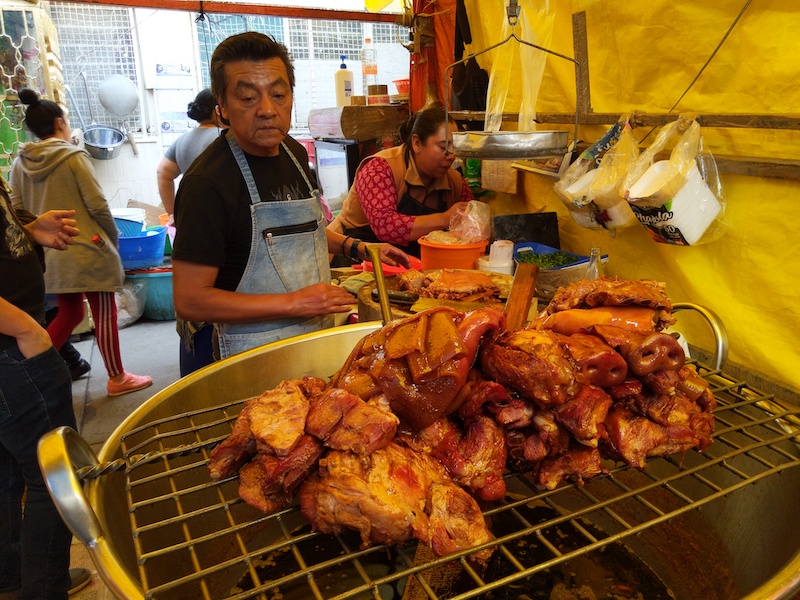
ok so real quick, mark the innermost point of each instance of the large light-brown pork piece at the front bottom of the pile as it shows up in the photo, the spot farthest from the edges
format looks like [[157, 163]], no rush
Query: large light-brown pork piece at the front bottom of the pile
[[389, 497]]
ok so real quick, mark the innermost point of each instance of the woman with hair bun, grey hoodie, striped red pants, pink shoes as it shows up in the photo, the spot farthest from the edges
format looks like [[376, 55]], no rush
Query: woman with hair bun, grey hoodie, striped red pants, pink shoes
[[53, 172]]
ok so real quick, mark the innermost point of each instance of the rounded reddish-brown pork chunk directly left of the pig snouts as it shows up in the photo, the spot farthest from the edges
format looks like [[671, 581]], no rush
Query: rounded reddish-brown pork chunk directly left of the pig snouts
[[532, 363]]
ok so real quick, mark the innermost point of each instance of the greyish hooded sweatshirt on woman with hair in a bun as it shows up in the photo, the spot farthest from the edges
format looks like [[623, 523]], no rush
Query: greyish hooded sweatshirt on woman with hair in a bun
[[54, 174]]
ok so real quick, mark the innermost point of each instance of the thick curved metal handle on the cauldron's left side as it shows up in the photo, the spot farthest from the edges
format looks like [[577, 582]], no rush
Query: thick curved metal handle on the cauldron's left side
[[58, 451]]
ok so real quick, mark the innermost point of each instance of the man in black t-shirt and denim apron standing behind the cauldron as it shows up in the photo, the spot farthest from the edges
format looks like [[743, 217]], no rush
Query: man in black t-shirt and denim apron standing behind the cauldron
[[251, 249]]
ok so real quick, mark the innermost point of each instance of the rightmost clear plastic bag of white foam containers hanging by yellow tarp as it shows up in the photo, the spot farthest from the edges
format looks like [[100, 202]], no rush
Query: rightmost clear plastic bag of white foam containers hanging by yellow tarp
[[679, 201]]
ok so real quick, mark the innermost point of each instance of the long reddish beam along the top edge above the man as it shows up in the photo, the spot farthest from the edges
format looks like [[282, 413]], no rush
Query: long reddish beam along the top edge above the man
[[213, 6]]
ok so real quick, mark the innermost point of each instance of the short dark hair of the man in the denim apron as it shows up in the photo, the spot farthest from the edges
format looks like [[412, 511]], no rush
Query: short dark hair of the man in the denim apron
[[246, 46]]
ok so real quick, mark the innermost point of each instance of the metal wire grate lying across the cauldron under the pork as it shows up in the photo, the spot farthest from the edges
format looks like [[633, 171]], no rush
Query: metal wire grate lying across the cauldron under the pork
[[180, 518]]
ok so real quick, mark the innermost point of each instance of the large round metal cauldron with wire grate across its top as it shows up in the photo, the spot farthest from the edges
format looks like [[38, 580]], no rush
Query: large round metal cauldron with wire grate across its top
[[718, 525]]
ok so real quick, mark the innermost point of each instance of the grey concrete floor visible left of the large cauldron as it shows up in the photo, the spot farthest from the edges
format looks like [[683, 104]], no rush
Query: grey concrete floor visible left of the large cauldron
[[148, 348]]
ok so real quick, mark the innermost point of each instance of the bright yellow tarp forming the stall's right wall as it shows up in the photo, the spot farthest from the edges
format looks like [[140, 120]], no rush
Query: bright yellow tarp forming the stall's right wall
[[643, 56]]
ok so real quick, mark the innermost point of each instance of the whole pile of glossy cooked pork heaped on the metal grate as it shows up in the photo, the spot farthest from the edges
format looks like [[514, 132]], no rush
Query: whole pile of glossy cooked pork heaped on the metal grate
[[415, 431]]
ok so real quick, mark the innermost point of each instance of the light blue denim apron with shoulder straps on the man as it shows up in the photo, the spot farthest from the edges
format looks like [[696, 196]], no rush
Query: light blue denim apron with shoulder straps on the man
[[288, 251]]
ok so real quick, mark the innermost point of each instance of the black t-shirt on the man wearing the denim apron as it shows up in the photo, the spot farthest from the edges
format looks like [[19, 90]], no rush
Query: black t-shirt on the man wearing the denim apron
[[212, 207]]
